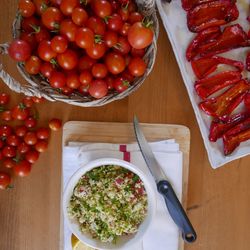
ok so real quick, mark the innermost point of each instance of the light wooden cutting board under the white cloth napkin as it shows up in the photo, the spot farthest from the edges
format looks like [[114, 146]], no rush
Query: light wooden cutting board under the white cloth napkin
[[112, 132]]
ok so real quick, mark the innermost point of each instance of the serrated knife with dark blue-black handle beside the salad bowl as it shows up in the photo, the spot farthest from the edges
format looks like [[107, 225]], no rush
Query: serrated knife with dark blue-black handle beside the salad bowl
[[164, 187]]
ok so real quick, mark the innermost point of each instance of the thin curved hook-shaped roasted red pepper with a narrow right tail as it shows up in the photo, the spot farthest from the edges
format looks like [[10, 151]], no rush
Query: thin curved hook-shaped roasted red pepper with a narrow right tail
[[204, 66]]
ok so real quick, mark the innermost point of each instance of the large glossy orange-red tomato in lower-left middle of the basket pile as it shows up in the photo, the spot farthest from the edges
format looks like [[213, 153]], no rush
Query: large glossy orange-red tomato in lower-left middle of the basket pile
[[68, 60]]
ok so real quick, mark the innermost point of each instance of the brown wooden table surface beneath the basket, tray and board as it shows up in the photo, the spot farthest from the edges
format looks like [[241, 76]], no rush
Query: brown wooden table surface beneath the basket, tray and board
[[218, 200]]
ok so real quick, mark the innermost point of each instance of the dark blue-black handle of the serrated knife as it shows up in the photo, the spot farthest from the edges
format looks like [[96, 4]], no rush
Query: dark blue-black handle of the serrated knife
[[176, 211]]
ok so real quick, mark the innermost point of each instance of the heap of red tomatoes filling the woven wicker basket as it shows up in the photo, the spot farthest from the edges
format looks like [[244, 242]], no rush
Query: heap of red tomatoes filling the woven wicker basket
[[87, 46]]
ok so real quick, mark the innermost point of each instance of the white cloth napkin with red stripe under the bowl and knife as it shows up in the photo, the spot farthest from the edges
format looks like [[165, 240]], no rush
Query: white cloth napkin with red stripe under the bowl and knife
[[163, 233]]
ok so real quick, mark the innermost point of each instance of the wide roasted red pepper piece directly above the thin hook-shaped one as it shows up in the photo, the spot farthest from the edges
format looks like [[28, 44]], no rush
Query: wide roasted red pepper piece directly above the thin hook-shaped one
[[232, 37]]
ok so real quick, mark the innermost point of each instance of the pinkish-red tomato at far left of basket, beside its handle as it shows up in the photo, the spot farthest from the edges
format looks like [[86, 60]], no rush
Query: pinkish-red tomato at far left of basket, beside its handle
[[19, 50]]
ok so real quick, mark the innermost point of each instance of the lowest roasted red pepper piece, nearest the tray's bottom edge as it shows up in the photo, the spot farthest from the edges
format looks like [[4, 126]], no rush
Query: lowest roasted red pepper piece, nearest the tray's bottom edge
[[233, 137]]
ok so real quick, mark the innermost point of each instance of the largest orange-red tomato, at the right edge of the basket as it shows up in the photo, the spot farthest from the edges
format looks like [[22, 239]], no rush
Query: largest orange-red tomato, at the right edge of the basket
[[140, 36]]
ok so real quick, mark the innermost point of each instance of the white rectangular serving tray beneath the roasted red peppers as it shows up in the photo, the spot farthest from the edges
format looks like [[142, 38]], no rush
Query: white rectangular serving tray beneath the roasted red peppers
[[174, 20]]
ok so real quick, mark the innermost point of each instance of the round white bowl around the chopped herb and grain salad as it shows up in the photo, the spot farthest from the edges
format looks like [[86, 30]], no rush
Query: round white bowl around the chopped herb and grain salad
[[123, 242]]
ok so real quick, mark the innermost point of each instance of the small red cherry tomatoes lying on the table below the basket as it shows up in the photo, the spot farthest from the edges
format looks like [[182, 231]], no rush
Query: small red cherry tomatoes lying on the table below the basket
[[21, 142]]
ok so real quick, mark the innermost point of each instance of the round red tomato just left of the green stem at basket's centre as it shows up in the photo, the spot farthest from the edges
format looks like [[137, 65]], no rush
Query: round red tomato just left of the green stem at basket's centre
[[84, 38]]
